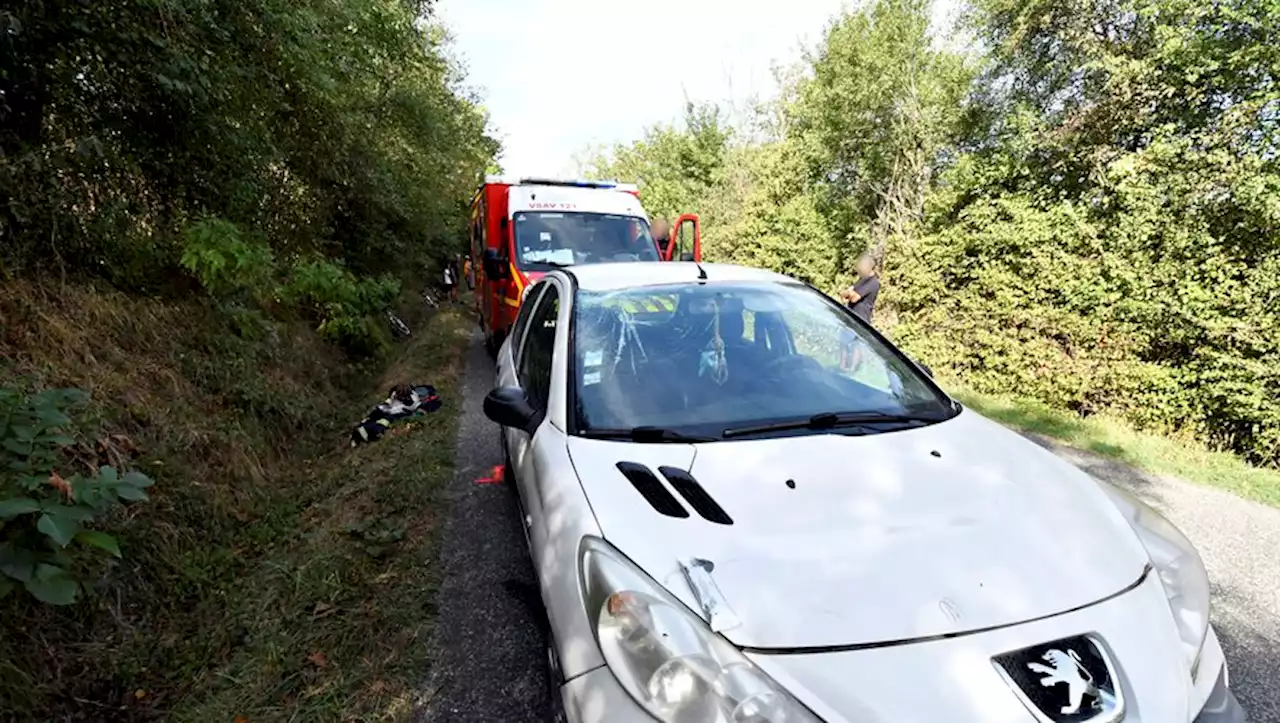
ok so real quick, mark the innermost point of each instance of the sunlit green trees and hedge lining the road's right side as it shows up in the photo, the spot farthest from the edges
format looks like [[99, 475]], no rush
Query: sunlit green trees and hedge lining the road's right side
[[1091, 219]]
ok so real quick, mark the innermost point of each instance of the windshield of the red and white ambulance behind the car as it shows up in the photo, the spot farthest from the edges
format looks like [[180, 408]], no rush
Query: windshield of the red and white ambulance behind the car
[[550, 240]]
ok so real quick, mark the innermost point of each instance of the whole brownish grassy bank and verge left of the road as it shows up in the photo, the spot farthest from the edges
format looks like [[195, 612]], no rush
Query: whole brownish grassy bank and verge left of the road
[[276, 574]]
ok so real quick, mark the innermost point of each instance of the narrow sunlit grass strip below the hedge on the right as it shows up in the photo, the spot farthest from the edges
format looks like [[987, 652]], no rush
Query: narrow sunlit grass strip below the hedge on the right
[[1117, 440]]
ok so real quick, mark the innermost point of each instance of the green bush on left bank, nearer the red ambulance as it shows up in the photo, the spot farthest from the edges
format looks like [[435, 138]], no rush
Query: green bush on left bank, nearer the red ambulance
[[346, 306]]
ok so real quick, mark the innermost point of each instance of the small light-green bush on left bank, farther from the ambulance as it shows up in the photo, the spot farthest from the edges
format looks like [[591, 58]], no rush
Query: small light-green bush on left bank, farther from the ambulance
[[225, 263]]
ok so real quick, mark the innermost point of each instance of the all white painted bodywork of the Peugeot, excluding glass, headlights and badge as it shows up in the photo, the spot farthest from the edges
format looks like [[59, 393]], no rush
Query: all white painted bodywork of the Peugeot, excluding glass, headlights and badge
[[984, 527]]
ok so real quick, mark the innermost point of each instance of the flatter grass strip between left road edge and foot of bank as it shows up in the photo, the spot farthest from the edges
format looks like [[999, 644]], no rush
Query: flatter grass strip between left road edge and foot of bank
[[336, 619]]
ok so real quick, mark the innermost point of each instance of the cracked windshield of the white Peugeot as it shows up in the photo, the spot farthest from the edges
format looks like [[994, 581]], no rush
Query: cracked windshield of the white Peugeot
[[701, 360]]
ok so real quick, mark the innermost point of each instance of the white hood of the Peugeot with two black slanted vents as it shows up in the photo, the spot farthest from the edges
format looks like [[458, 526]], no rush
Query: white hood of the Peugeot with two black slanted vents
[[845, 541]]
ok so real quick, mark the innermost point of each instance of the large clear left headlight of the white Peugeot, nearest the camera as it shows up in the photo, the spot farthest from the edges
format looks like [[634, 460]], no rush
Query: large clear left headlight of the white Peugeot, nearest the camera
[[666, 657]]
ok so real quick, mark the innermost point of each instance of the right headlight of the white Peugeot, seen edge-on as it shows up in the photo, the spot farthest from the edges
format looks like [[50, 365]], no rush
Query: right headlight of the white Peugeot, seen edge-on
[[1180, 568]]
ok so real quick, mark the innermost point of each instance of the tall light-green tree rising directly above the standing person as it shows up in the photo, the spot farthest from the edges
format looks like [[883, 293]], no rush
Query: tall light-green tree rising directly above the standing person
[[876, 118]]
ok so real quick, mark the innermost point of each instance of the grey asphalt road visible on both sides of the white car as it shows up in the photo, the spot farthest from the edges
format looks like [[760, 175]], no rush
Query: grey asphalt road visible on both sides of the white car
[[492, 660]]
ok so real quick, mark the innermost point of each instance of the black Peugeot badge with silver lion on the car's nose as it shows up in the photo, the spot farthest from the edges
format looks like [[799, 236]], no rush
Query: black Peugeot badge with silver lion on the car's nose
[[1066, 681]]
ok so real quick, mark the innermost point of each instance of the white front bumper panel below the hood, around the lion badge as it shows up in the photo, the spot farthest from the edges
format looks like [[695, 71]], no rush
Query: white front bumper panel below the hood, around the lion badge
[[954, 679]]
